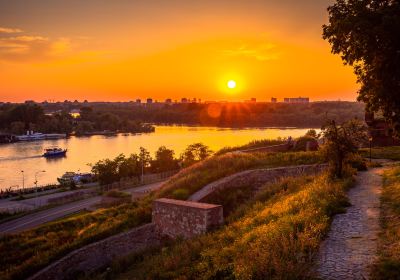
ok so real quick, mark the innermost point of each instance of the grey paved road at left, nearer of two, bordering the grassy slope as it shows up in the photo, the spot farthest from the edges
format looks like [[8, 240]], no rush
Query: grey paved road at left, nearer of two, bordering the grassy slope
[[48, 215]]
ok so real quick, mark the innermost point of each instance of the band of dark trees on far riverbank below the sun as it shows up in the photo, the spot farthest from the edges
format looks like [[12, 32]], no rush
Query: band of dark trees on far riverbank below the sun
[[132, 117]]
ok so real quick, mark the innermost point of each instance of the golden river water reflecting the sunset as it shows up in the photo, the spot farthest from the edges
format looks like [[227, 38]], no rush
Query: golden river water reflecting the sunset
[[26, 156]]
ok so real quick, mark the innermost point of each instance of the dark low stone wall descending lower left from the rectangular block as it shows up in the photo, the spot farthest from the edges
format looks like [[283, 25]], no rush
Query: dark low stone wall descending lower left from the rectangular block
[[94, 256]]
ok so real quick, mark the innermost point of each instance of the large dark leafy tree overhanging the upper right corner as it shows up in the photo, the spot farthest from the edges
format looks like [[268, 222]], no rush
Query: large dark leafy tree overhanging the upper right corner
[[366, 34]]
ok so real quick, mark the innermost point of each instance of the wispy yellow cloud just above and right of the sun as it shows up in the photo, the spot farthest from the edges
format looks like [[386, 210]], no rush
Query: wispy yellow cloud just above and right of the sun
[[261, 52]]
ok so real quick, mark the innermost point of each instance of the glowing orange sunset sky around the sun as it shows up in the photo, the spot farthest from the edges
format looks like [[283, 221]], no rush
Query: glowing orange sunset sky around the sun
[[121, 50]]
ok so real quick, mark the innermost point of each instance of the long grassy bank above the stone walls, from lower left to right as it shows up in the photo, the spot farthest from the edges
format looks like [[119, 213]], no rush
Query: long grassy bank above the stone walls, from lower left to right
[[27, 252]]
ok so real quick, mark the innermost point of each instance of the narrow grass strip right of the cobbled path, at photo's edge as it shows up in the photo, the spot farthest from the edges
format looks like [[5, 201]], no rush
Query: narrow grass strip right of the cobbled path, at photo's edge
[[388, 264]]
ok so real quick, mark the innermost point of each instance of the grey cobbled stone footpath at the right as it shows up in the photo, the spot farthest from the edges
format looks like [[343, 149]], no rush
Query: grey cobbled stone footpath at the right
[[351, 245]]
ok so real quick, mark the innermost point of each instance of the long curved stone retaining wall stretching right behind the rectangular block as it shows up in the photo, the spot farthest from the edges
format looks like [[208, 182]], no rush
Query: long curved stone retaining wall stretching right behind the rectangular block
[[256, 178]]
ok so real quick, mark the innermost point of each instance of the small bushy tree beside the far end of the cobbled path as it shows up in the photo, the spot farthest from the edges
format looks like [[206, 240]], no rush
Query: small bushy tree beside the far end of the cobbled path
[[342, 141]]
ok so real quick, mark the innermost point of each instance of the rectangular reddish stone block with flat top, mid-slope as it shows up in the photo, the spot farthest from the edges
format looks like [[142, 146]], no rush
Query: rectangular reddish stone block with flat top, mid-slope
[[185, 218]]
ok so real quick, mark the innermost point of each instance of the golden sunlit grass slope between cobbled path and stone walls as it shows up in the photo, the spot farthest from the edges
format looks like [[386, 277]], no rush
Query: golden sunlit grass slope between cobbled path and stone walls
[[272, 236]]
